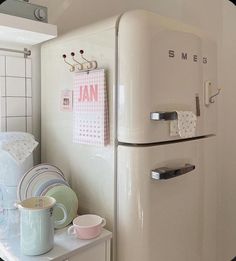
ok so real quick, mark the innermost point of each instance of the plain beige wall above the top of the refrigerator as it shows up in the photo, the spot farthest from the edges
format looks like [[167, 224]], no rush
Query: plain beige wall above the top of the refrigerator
[[70, 14]]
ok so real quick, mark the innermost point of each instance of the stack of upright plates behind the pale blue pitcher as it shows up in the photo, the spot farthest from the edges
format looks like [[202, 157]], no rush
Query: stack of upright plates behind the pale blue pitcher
[[48, 180]]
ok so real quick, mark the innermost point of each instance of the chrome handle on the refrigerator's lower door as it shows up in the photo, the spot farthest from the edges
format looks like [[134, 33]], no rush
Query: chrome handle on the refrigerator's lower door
[[168, 173]]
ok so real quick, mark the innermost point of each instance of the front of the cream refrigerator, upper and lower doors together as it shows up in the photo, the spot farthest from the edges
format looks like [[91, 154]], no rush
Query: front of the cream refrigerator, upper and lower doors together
[[166, 185]]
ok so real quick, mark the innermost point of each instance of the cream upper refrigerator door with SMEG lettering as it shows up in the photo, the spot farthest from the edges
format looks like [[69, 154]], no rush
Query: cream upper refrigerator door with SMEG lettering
[[163, 66]]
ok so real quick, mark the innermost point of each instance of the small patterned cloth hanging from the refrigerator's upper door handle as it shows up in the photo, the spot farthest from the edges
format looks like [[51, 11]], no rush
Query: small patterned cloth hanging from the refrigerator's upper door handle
[[185, 125]]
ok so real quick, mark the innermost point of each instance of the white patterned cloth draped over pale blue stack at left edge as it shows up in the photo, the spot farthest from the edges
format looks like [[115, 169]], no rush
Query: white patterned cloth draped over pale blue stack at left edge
[[19, 145]]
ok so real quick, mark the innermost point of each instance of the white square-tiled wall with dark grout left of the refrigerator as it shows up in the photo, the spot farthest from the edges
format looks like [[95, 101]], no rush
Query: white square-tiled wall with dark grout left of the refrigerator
[[16, 94]]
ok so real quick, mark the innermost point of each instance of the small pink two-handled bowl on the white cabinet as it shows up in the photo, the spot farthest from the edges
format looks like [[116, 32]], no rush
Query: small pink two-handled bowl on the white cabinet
[[87, 226]]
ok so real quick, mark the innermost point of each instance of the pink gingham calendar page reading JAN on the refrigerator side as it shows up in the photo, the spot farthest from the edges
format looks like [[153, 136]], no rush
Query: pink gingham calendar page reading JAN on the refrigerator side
[[90, 113]]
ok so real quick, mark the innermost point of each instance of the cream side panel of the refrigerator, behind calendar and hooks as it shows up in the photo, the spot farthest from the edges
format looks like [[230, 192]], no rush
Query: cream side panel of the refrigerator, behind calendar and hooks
[[89, 169]]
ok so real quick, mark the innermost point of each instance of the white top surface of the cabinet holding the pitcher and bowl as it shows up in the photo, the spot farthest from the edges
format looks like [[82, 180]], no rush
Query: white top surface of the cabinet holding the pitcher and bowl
[[65, 247]]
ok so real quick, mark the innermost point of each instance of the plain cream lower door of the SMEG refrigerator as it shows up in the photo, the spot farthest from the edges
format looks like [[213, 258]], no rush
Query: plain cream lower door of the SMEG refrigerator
[[169, 219]]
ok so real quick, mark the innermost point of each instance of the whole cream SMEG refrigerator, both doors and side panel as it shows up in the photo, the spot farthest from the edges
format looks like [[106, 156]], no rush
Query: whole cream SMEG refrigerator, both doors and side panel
[[157, 192]]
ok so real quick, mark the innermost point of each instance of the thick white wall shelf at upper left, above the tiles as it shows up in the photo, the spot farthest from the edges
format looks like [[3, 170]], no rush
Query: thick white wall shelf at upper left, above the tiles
[[25, 31]]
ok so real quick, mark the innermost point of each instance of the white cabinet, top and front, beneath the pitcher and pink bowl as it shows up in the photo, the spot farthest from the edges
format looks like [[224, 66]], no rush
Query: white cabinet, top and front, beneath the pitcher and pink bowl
[[65, 248]]
